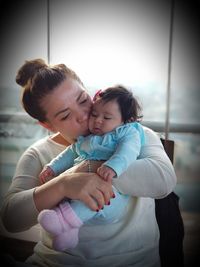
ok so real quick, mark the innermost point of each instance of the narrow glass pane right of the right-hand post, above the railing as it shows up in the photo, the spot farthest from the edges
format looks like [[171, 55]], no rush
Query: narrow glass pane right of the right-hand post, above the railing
[[185, 96]]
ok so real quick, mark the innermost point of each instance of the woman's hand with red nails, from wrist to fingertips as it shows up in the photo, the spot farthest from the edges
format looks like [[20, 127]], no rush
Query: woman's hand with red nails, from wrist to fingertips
[[87, 187]]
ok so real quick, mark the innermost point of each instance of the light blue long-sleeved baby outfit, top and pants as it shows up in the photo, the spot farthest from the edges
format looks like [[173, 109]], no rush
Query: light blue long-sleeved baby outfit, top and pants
[[118, 149]]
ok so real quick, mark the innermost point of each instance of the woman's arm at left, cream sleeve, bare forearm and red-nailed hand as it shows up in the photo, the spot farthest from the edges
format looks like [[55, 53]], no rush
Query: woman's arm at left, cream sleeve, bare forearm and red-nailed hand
[[26, 197]]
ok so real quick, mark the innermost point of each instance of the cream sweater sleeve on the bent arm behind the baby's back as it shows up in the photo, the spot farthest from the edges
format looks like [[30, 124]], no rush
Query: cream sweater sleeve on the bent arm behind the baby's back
[[152, 175]]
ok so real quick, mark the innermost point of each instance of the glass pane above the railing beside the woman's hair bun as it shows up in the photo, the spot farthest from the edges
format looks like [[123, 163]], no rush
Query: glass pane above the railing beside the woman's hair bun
[[23, 34]]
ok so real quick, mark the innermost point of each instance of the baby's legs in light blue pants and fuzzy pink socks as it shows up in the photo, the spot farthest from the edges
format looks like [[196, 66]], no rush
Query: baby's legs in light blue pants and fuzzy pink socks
[[64, 221]]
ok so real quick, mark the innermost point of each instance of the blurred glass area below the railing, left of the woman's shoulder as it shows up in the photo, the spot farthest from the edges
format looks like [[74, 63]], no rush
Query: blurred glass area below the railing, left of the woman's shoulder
[[17, 132]]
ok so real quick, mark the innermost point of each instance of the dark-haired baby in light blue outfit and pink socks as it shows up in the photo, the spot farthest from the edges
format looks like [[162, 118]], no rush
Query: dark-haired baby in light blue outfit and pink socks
[[116, 138]]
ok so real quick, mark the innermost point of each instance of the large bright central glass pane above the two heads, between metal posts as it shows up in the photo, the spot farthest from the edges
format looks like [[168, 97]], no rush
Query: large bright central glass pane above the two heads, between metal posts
[[109, 42]]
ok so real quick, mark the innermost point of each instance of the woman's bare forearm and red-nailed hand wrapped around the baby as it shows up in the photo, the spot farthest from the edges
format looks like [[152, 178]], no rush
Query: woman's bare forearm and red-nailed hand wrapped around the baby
[[87, 187]]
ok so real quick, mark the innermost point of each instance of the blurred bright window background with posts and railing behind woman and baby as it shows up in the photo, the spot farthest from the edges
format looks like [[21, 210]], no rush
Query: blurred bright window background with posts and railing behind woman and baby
[[150, 46]]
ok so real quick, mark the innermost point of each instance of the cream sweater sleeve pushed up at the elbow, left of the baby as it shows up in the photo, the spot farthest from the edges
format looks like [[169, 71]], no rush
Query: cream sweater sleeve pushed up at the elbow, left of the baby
[[18, 202]]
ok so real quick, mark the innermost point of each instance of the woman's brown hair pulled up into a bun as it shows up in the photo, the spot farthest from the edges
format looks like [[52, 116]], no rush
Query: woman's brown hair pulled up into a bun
[[39, 79]]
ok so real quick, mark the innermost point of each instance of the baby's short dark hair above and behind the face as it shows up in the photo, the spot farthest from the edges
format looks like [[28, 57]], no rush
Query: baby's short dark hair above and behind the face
[[128, 104]]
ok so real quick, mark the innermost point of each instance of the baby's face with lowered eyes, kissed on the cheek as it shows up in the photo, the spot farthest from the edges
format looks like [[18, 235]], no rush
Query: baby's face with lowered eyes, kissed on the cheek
[[104, 117]]
